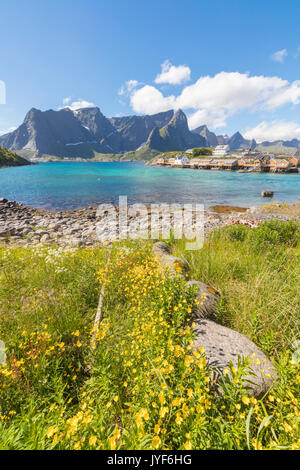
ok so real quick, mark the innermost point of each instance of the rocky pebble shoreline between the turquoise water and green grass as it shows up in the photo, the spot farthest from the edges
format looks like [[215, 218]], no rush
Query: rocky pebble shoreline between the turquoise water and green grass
[[22, 225]]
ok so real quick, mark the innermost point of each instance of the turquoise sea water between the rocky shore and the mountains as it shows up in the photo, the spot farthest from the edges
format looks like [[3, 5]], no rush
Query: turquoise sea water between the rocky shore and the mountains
[[69, 185]]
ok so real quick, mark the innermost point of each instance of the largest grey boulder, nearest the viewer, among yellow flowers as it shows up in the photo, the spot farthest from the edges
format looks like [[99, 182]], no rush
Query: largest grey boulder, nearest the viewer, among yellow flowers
[[222, 345]]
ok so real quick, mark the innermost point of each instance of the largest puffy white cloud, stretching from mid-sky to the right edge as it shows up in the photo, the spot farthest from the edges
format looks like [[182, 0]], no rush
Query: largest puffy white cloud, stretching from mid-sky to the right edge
[[215, 98]]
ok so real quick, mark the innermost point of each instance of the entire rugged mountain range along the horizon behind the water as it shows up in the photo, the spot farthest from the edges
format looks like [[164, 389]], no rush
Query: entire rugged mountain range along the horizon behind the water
[[87, 132]]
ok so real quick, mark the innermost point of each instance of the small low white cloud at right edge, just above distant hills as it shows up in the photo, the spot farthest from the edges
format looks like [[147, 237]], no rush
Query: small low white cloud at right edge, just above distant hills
[[274, 130]]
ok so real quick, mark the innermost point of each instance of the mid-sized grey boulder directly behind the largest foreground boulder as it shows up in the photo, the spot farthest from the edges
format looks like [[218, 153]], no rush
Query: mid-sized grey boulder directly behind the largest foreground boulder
[[207, 300]]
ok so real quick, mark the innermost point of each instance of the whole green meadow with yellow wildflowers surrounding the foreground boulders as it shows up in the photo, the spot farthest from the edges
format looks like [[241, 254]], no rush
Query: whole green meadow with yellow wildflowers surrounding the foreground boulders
[[142, 388]]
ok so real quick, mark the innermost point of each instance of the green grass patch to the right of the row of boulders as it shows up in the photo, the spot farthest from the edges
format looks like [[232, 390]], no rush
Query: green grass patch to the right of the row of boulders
[[257, 273]]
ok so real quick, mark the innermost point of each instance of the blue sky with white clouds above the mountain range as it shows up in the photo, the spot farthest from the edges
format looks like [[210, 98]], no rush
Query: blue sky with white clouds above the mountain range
[[233, 64]]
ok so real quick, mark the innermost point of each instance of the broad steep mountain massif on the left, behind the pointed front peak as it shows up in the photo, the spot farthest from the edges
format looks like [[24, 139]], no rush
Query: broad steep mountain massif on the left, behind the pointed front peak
[[65, 132]]
